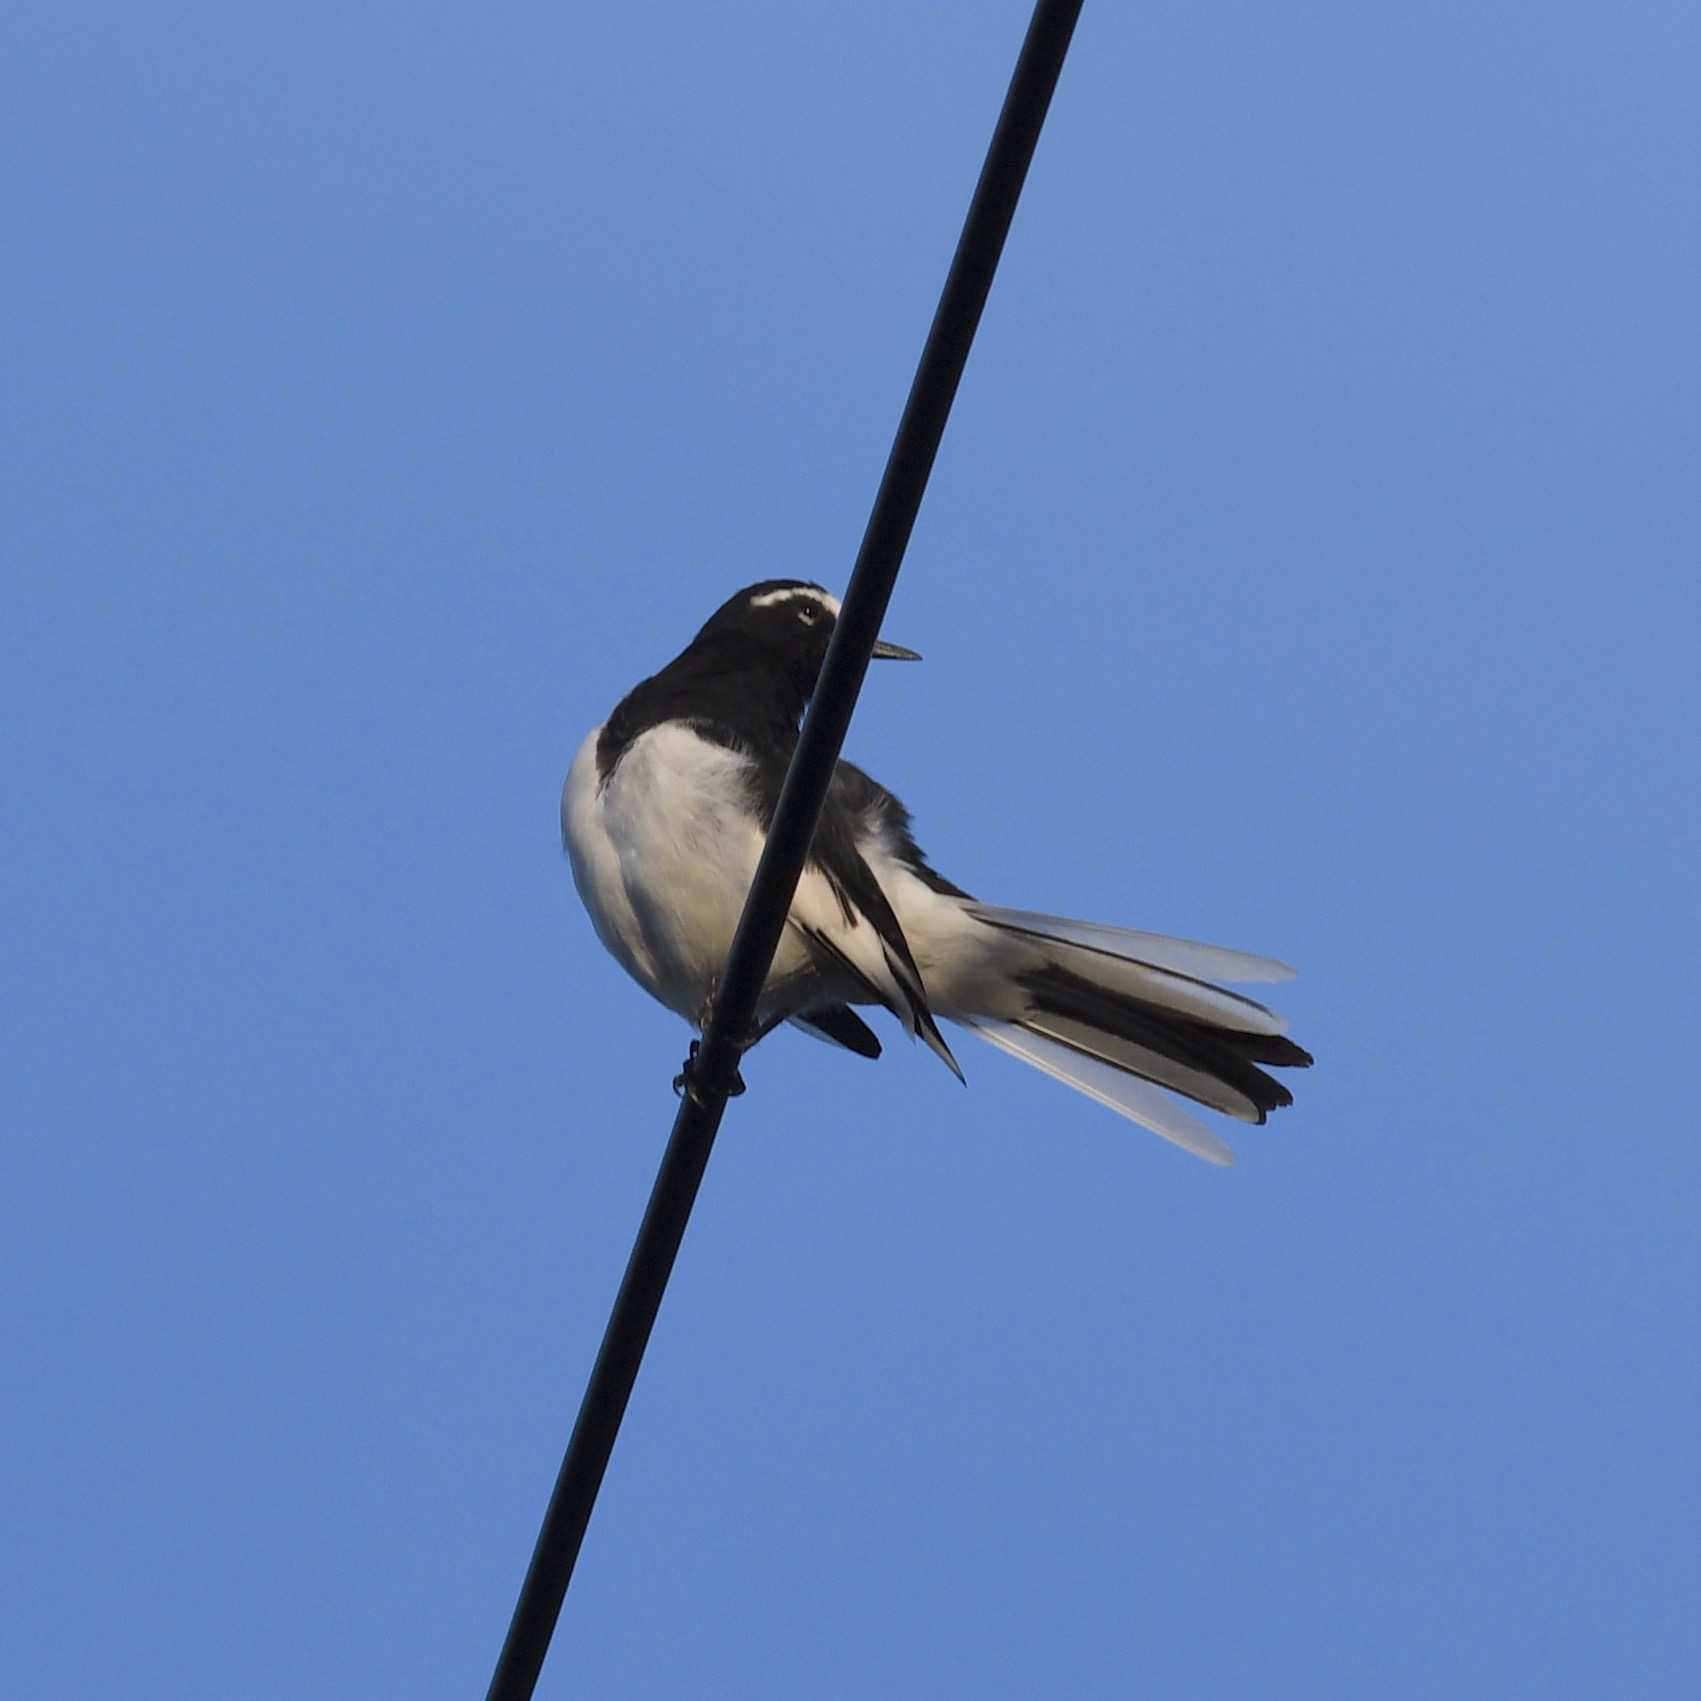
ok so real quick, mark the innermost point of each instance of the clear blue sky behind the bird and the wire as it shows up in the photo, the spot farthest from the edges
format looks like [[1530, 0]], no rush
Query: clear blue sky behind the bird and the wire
[[1311, 567]]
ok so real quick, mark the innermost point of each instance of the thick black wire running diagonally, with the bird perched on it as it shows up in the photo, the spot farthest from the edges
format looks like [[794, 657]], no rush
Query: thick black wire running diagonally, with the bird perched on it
[[788, 841]]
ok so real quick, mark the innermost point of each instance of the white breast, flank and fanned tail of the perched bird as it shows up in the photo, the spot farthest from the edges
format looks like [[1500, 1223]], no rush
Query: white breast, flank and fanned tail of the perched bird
[[664, 850]]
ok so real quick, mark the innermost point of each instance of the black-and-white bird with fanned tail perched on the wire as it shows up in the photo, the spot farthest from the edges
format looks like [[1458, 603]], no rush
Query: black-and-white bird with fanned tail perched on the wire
[[664, 817]]
